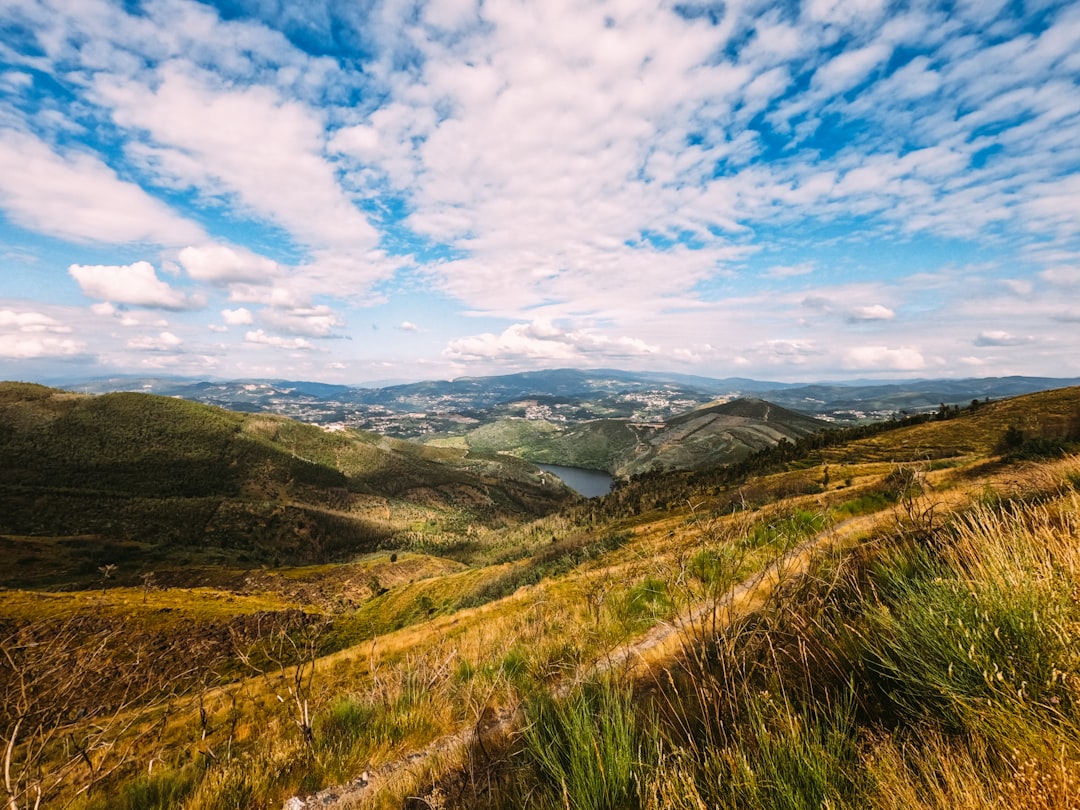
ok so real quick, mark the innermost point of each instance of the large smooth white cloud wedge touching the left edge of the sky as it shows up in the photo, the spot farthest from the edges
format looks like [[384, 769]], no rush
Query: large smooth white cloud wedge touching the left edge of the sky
[[78, 197]]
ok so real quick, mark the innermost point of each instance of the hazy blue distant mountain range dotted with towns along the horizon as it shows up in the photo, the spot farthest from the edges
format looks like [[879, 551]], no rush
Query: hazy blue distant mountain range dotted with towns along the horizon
[[564, 396]]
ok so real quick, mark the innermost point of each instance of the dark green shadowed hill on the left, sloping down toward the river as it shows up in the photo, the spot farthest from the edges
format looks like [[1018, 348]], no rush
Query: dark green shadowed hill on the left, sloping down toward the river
[[153, 471]]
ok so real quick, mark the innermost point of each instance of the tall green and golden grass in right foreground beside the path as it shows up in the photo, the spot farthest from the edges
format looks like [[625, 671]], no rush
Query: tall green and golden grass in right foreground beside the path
[[928, 672]]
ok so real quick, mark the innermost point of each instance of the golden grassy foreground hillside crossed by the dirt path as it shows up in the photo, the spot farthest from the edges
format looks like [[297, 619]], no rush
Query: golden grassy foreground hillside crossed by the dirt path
[[884, 617]]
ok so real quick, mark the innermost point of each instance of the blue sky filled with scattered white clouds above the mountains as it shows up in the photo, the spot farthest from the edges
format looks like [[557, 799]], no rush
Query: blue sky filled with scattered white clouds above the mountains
[[371, 191]]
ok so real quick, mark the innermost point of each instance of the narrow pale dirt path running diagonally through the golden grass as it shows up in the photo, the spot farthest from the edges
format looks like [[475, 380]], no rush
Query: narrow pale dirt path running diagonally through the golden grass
[[658, 645]]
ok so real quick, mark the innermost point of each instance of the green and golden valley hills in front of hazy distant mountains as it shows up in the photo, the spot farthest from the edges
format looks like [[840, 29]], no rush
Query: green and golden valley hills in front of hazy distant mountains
[[207, 609]]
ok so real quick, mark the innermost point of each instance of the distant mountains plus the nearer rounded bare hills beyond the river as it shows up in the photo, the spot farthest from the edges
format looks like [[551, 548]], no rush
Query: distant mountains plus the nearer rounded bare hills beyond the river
[[624, 423]]
